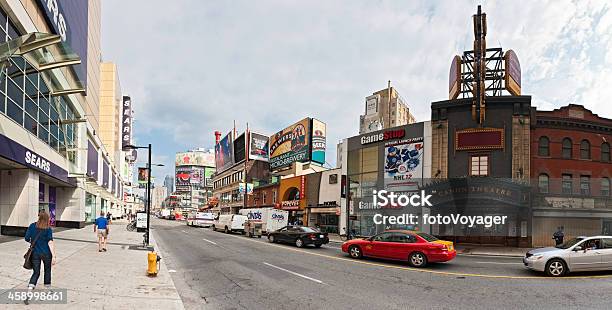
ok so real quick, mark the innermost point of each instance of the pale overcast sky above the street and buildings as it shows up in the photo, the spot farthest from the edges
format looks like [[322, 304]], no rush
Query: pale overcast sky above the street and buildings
[[193, 66]]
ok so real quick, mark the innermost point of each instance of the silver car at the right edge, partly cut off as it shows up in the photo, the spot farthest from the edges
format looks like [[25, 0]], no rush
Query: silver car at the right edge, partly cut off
[[577, 254]]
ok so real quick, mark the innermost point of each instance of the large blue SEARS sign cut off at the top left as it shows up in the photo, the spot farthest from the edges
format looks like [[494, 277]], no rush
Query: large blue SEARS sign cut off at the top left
[[68, 19]]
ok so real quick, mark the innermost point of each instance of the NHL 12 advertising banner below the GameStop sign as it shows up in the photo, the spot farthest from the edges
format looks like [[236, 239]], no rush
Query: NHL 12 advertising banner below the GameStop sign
[[403, 170]]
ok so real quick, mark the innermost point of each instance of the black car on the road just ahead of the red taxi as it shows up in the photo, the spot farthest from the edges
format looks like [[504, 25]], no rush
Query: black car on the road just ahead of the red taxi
[[299, 235]]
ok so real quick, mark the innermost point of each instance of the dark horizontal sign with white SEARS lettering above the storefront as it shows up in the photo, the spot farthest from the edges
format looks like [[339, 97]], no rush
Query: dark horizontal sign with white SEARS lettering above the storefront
[[16, 152]]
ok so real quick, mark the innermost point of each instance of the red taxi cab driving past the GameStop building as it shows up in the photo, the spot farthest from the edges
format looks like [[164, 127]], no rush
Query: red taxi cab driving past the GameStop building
[[417, 248]]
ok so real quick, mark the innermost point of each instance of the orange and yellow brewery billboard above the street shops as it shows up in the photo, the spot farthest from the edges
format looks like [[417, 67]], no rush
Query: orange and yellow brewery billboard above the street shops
[[290, 145]]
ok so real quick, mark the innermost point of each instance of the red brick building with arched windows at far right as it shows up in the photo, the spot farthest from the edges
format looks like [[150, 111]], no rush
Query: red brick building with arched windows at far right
[[571, 171]]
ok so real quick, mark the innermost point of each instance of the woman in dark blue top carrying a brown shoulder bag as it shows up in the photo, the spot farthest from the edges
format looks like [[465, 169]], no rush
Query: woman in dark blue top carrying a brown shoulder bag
[[42, 249]]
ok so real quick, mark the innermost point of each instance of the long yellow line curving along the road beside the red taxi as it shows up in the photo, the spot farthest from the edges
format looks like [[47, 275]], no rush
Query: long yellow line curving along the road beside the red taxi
[[428, 270]]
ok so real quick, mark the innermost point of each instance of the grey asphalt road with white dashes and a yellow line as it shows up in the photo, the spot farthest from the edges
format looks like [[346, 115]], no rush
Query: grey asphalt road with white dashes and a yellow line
[[213, 270]]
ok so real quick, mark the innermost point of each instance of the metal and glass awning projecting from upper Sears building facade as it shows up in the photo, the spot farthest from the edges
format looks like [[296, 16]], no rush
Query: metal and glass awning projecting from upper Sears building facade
[[47, 54]]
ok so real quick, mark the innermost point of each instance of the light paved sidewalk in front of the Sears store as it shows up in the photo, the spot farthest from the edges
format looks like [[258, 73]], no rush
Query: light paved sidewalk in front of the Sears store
[[95, 280]]
